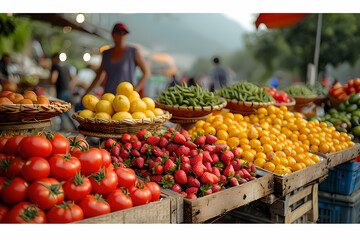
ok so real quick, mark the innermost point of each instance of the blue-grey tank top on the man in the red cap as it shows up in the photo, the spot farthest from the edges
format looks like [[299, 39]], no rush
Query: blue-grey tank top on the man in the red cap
[[121, 71]]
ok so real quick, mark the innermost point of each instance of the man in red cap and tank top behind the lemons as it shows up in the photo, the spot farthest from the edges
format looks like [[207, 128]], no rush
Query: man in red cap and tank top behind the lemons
[[119, 64]]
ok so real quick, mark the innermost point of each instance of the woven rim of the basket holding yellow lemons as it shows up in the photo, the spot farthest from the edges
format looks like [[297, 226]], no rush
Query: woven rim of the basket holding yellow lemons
[[127, 122]]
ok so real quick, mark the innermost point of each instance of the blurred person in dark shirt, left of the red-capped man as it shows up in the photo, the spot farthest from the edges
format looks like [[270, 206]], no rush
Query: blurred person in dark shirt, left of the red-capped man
[[61, 77]]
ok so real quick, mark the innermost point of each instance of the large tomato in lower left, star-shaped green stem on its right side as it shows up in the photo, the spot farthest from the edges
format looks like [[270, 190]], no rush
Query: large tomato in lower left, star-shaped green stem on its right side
[[46, 192]]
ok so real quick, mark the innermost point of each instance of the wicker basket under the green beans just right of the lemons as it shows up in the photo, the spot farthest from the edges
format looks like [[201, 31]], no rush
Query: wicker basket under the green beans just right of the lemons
[[179, 111]]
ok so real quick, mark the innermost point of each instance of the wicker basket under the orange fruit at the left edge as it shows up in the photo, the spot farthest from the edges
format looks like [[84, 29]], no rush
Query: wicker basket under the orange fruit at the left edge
[[23, 113]]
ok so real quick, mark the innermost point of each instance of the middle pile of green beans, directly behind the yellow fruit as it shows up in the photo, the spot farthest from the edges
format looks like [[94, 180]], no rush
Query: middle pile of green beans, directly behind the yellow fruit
[[246, 92]]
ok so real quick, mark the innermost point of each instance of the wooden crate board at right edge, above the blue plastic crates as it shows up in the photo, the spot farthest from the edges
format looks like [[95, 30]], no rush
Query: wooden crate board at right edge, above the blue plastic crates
[[342, 156]]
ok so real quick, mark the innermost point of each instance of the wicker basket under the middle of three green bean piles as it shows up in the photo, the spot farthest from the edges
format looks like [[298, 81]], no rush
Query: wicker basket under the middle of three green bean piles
[[246, 108]]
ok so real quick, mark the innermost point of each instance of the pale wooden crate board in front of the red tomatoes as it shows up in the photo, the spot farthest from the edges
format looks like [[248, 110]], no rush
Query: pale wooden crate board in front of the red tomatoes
[[169, 210]]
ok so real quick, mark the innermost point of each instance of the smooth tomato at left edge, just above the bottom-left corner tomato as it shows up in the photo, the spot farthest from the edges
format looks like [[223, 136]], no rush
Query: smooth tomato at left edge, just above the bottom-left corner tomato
[[14, 191]]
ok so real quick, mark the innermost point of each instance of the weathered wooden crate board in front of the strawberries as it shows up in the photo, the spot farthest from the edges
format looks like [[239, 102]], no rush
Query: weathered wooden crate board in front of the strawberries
[[201, 209]]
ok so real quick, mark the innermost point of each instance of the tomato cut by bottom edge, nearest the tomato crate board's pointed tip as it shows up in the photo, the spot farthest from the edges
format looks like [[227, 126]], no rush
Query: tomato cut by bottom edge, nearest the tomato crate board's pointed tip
[[66, 212]]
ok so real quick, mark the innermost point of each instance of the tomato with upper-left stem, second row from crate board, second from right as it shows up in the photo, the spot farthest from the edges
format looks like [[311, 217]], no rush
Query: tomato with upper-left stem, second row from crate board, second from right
[[103, 182]]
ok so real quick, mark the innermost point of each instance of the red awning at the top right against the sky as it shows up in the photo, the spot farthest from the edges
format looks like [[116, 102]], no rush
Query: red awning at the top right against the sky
[[278, 20]]
